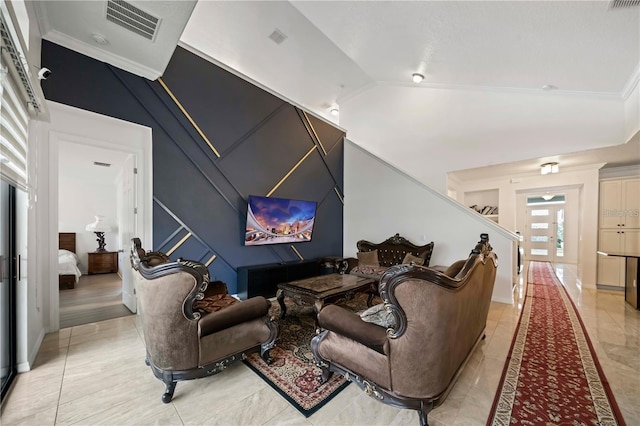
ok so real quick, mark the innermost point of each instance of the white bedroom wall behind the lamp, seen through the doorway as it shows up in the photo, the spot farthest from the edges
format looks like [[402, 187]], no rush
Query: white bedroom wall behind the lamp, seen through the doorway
[[79, 200]]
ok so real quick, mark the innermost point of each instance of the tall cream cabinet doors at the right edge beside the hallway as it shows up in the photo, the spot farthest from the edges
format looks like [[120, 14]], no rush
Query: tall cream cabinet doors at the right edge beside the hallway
[[619, 227]]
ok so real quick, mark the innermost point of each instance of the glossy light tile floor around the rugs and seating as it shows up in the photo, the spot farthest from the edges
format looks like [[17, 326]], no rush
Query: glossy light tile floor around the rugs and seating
[[95, 374]]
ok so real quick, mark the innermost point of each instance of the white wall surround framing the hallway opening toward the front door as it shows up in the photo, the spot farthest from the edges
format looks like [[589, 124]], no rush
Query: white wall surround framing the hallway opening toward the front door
[[586, 178]]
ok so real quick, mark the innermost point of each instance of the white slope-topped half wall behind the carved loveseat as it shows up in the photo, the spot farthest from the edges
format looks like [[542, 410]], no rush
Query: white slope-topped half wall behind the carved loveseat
[[381, 201]]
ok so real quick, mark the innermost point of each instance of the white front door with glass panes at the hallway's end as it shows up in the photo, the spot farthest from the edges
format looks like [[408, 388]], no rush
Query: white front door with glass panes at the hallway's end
[[544, 237]]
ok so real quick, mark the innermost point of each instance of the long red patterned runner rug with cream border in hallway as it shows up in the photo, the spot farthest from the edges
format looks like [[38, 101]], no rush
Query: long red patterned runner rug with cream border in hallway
[[552, 375]]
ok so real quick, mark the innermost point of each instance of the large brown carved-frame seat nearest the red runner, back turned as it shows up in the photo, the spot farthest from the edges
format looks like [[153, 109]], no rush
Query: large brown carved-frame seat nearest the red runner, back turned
[[412, 356]]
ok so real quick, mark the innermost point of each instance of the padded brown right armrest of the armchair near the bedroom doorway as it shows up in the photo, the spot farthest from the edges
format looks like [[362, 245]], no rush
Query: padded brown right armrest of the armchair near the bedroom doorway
[[255, 307]]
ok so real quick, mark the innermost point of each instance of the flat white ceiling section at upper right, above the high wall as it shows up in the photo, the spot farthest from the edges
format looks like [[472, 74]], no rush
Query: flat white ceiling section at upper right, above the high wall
[[575, 46]]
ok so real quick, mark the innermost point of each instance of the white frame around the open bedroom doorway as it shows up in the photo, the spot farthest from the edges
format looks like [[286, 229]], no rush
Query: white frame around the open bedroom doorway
[[84, 127]]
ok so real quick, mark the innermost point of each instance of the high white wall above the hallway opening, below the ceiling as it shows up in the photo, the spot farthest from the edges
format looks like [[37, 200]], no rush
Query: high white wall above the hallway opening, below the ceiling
[[410, 127]]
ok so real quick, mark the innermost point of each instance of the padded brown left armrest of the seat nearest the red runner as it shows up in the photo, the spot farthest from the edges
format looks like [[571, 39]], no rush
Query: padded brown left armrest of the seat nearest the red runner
[[350, 325]]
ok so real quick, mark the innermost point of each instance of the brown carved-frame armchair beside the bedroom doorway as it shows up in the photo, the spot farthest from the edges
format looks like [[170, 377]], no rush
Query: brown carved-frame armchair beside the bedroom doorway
[[192, 329]]
